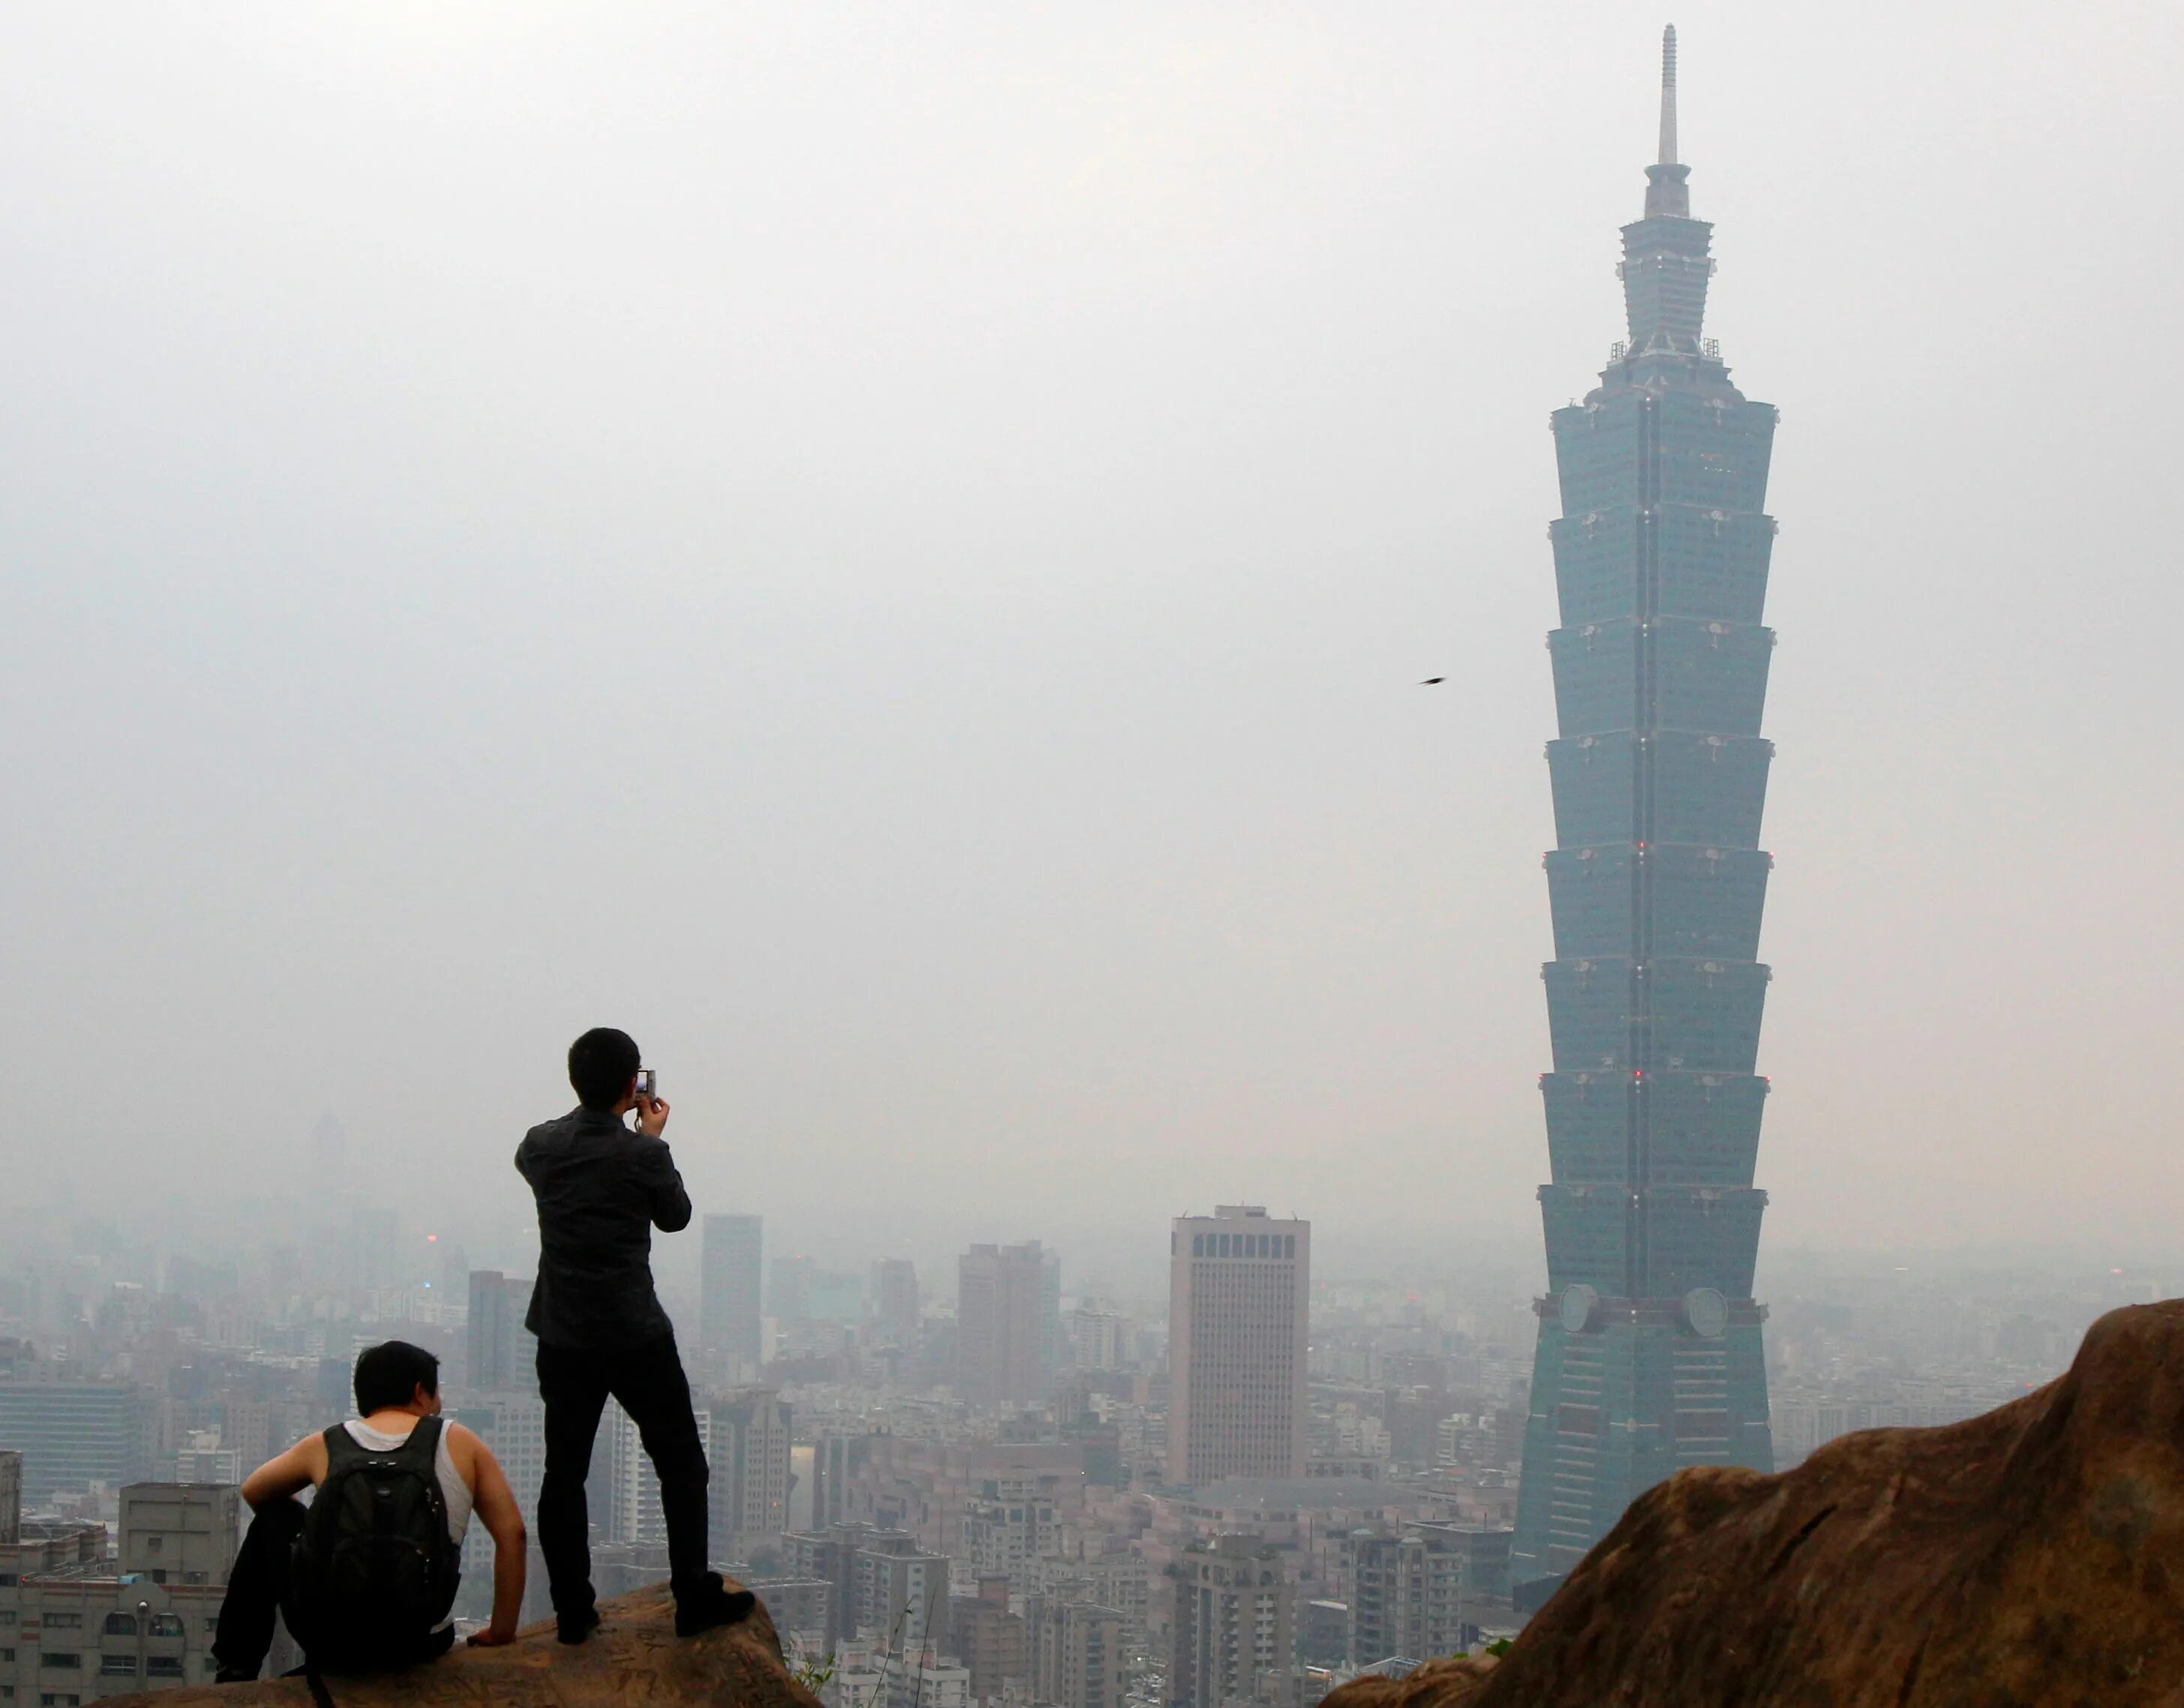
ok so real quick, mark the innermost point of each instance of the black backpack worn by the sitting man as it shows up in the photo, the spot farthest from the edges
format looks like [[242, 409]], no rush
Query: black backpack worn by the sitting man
[[375, 1567]]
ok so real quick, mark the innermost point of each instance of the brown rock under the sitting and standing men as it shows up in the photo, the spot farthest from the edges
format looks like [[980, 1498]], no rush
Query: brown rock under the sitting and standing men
[[632, 1659]]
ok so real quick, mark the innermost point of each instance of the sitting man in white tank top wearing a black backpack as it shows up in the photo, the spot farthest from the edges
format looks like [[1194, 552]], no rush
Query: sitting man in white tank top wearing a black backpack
[[368, 1571]]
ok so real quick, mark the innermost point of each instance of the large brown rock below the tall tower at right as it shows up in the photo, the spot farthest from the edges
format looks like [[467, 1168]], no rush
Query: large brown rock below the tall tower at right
[[2032, 1558]]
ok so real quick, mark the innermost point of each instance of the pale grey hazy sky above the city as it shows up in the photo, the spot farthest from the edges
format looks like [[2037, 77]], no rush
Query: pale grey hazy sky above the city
[[890, 554]]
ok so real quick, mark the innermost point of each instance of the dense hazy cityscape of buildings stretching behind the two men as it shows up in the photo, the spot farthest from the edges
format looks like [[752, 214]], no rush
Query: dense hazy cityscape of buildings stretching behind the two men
[[977, 1484]]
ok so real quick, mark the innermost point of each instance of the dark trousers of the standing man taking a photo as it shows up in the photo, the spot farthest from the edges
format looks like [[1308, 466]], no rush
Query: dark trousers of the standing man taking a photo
[[656, 1395]]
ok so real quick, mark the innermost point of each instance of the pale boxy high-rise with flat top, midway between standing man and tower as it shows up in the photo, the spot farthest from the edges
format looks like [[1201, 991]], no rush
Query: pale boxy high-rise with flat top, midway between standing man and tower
[[1239, 1309]]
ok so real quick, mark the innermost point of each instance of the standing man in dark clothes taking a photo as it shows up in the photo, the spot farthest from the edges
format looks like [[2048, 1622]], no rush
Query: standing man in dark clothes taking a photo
[[602, 1189]]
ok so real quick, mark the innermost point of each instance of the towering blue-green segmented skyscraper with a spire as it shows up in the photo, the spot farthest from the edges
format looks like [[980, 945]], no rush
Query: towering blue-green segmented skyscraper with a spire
[[1650, 1340]]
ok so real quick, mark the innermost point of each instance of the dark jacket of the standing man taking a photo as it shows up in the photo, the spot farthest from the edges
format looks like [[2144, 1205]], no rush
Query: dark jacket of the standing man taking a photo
[[602, 1191]]
